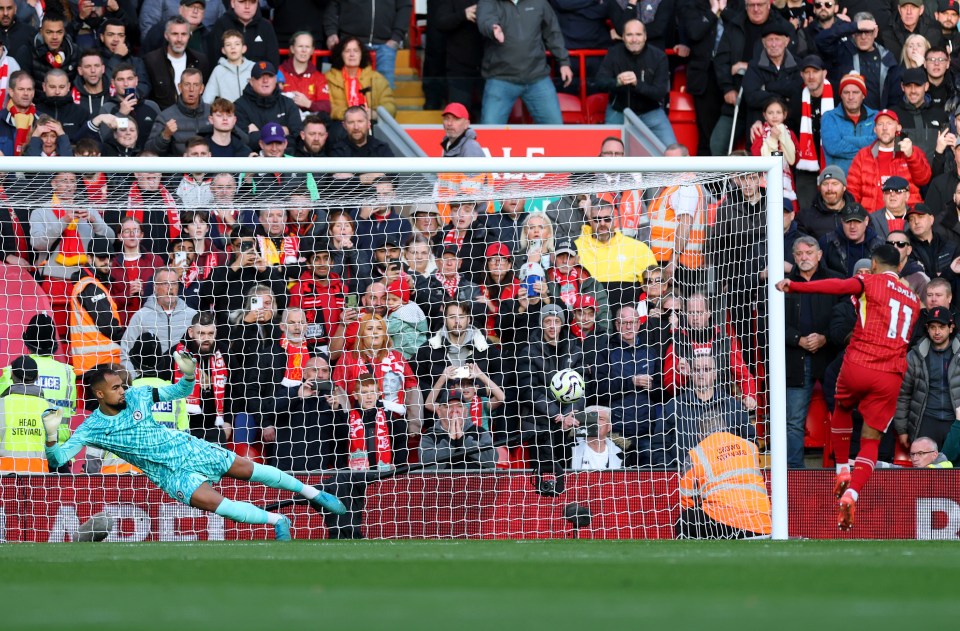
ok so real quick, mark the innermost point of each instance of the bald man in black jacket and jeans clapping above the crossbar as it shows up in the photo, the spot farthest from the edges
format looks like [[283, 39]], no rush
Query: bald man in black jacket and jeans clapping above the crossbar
[[637, 77]]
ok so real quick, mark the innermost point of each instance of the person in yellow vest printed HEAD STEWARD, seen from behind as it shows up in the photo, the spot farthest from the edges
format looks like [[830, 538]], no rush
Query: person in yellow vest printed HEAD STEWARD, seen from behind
[[22, 436]]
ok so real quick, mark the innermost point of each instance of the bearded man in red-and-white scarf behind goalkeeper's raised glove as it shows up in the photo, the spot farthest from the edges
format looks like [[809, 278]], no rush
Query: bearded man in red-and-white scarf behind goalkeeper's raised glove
[[205, 404]]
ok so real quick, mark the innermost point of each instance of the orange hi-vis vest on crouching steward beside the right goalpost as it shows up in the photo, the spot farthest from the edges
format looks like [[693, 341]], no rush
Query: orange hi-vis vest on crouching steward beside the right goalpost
[[725, 475]]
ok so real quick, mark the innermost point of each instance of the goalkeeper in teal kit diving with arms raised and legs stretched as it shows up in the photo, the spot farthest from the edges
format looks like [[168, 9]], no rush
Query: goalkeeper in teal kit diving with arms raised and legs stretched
[[181, 465]]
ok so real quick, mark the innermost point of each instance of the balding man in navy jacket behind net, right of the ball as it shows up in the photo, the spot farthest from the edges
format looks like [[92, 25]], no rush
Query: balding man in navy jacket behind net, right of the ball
[[628, 376]]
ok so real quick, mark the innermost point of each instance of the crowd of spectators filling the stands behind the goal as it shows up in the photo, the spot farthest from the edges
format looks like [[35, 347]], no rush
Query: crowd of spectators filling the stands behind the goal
[[369, 337]]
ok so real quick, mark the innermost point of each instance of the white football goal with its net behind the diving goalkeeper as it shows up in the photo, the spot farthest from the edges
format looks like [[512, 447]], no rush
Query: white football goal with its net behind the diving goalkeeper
[[517, 349]]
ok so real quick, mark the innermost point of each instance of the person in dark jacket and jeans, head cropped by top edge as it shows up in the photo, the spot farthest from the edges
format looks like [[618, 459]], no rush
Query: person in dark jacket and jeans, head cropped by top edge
[[385, 28]]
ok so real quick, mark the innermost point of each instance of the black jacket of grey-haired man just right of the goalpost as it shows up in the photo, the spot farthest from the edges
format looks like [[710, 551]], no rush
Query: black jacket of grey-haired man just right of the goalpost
[[821, 310]]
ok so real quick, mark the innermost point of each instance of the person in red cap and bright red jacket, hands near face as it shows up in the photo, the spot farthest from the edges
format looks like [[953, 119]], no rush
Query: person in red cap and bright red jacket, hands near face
[[891, 154]]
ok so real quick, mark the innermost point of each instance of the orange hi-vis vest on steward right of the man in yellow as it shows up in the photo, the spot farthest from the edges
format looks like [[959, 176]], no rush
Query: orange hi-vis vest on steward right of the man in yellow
[[663, 227]]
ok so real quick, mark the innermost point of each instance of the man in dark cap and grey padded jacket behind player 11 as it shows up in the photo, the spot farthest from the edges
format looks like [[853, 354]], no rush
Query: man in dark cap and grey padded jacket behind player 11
[[930, 394]]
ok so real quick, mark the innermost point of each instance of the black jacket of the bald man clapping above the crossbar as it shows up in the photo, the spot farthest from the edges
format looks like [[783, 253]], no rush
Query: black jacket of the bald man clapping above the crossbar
[[653, 78]]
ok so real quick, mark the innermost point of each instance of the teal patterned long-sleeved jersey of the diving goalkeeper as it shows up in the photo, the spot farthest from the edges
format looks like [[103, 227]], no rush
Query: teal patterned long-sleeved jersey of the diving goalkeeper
[[135, 436]]
